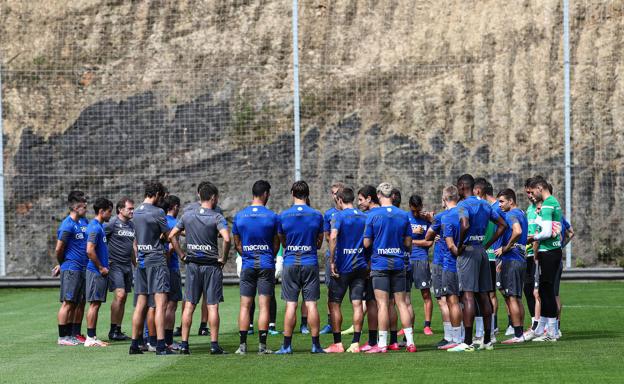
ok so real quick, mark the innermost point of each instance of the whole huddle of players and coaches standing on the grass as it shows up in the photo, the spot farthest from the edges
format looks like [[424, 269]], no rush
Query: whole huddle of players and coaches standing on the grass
[[376, 251]]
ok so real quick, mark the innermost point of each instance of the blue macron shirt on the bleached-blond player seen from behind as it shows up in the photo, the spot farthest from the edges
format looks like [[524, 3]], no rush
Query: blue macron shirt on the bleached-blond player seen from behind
[[387, 227]]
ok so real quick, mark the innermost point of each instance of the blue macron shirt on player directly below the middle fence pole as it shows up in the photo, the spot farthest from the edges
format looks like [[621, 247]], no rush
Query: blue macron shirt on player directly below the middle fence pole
[[301, 225]]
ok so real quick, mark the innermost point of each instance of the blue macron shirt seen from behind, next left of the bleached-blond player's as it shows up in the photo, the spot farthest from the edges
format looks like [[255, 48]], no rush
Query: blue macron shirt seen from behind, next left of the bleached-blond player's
[[349, 254]]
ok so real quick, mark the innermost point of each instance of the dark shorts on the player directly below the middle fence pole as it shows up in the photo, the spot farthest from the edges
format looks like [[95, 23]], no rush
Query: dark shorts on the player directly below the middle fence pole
[[301, 278]]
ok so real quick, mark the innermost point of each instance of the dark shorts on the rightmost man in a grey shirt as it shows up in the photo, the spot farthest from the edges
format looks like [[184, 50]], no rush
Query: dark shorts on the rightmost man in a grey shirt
[[204, 280]]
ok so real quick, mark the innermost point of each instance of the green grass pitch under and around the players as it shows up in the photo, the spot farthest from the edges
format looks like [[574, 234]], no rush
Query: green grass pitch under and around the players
[[591, 350]]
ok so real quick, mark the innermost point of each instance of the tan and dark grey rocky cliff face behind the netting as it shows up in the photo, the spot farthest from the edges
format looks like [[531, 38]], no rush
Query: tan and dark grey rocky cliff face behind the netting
[[102, 95]]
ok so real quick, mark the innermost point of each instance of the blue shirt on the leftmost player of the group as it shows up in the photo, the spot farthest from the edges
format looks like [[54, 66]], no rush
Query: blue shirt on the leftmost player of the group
[[74, 235]]
